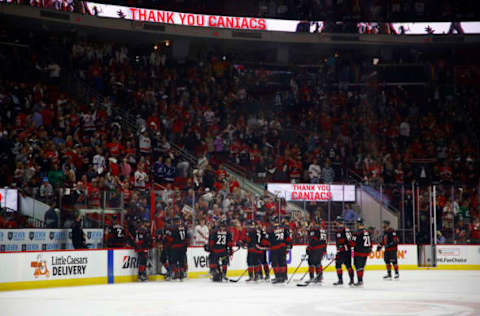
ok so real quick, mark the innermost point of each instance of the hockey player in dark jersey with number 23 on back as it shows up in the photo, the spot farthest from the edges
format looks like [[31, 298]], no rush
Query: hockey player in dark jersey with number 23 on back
[[220, 248]]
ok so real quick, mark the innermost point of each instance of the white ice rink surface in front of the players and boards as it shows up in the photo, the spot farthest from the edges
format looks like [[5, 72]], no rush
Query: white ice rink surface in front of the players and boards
[[429, 292]]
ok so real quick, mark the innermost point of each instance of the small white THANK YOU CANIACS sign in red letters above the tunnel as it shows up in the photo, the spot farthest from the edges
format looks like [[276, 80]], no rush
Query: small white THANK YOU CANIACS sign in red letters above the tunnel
[[313, 192]]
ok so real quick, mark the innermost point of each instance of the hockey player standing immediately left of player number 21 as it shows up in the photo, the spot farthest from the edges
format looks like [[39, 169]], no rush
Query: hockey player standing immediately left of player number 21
[[344, 253]]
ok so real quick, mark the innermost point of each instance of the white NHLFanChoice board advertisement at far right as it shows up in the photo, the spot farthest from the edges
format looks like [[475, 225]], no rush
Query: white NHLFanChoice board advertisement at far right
[[449, 255]]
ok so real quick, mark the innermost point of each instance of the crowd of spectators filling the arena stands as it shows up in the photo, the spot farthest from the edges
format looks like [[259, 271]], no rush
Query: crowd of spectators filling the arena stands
[[313, 127]]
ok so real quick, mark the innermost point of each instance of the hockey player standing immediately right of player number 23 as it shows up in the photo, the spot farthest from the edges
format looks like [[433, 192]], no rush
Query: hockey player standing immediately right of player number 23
[[253, 241]]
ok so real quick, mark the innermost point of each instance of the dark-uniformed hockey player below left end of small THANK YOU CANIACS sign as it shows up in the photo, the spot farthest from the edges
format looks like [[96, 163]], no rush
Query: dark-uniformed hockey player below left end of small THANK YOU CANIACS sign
[[280, 243]]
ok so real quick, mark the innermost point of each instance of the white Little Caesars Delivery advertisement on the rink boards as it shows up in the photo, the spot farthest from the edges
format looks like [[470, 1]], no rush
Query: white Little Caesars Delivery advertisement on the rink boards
[[37, 266]]
